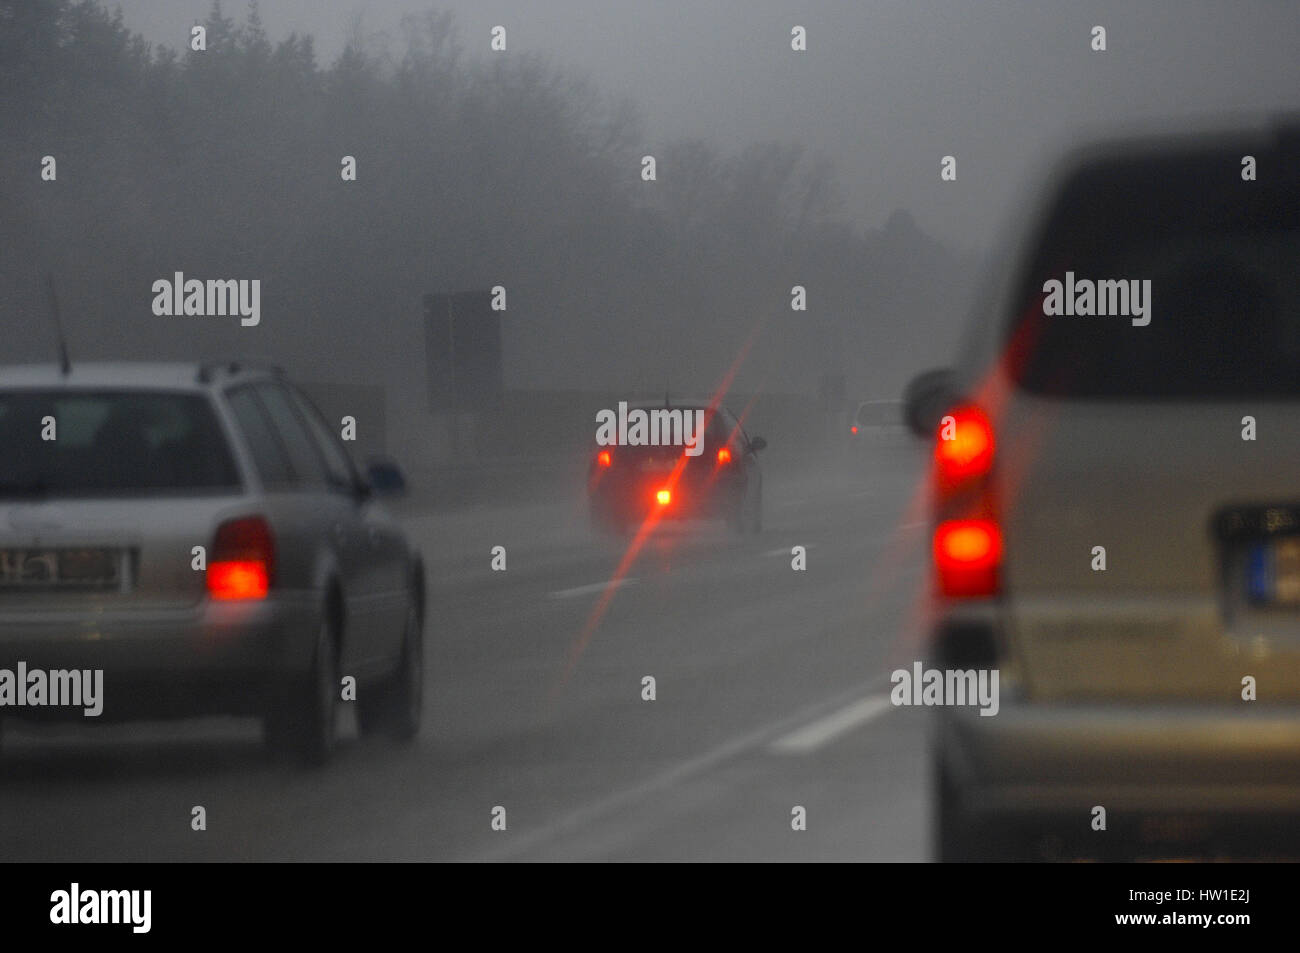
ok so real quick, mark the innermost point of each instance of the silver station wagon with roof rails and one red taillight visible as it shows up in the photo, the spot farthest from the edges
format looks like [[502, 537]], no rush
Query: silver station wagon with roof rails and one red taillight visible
[[201, 535]]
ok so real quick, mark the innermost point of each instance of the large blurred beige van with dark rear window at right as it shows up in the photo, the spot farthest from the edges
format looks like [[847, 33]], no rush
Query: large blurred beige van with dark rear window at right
[[1117, 518]]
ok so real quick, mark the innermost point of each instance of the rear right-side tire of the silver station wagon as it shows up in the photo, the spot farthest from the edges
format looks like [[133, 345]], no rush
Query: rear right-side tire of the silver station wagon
[[305, 720]]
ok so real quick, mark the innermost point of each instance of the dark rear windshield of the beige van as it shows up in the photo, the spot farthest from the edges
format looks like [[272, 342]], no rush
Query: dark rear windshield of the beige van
[[1194, 279]]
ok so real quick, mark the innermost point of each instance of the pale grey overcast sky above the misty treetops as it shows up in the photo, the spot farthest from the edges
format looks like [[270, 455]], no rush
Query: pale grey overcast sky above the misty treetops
[[886, 89]]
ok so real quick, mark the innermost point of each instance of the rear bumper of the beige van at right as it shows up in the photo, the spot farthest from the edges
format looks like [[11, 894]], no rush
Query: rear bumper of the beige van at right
[[1058, 763]]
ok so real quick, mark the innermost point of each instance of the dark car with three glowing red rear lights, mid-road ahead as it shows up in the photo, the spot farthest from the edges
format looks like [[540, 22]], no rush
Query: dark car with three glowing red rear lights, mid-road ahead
[[631, 484]]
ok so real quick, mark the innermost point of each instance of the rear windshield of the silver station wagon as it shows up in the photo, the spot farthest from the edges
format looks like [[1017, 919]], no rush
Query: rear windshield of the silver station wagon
[[89, 444]]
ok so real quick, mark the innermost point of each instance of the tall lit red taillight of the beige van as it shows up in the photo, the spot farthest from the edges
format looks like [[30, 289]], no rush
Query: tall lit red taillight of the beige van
[[968, 544]]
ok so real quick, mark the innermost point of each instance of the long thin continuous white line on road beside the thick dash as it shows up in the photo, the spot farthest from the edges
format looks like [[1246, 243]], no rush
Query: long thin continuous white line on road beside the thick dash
[[583, 818]]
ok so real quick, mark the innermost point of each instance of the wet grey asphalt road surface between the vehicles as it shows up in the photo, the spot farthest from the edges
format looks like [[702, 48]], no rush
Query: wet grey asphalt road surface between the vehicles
[[770, 695]]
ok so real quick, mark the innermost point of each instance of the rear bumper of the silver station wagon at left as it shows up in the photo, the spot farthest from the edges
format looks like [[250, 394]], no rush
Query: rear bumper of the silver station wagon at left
[[213, 659]]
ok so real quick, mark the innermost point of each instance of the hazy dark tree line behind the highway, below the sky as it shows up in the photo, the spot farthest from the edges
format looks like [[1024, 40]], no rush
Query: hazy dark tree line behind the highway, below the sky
[[506, 170]]
